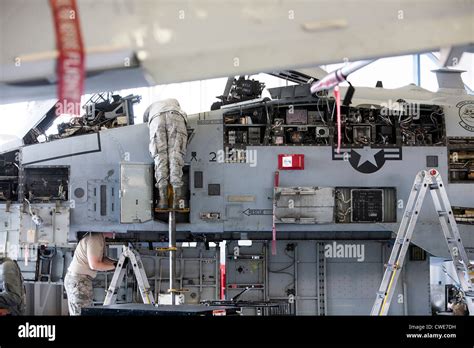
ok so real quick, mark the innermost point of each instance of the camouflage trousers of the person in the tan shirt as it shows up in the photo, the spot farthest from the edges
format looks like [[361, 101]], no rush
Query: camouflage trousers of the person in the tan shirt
[[79, 292]]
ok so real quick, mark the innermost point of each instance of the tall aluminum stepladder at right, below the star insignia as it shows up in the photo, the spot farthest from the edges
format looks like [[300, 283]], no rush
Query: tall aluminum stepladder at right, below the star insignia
[[425, 180]]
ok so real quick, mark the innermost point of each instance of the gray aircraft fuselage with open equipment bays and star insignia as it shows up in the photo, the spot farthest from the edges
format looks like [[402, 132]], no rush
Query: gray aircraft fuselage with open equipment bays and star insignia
[[96, 174]]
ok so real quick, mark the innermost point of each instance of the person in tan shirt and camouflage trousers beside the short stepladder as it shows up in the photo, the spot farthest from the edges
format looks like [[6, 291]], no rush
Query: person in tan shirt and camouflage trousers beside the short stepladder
[[89, 257]]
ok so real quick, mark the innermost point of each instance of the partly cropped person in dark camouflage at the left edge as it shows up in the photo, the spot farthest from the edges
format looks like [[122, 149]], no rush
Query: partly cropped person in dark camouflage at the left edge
[[12, 289]]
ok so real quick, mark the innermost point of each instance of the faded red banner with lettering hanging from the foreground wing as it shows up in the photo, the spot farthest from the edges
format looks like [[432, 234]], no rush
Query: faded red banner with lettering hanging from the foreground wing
[[70, 63]]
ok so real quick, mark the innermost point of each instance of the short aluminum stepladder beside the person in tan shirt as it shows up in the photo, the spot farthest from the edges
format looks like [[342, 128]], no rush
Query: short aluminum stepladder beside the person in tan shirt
[[142, 280]]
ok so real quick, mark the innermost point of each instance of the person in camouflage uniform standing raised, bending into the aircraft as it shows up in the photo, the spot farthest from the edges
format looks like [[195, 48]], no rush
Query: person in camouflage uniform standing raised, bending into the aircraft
[[168, 140]]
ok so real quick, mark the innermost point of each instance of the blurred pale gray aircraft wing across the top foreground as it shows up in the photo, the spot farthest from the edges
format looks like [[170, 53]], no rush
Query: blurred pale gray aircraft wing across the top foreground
[[148, 42]]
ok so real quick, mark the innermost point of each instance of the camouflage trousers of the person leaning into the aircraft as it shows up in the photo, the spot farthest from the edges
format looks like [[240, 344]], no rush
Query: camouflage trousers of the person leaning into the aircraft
[[168, 141]]
